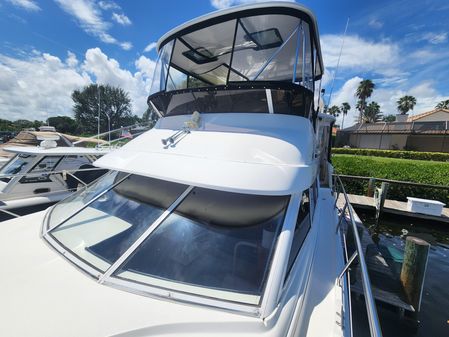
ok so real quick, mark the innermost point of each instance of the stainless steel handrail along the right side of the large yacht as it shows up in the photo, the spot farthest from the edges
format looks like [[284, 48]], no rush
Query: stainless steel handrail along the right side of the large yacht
[[373, 319]]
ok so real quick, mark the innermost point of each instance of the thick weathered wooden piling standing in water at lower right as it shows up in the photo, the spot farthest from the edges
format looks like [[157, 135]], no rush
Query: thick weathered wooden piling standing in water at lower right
[[413, 269]]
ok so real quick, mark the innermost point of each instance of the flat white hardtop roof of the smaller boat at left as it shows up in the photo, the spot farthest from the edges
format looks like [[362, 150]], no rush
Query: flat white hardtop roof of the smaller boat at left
[[56, 151]]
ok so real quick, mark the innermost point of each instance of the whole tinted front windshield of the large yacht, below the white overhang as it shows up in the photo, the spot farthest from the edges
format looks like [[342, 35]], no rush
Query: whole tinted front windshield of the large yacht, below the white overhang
[[211, 243]]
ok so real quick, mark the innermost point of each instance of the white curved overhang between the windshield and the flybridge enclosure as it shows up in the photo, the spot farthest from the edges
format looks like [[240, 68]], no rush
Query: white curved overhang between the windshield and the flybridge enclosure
[[268, 154]]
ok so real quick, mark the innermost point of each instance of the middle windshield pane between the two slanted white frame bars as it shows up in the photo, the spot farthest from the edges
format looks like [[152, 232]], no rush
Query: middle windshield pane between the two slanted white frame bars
[[104, 230]]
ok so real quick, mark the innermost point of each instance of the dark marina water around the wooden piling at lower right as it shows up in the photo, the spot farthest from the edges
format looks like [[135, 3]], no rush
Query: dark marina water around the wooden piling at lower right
[[390, 235]]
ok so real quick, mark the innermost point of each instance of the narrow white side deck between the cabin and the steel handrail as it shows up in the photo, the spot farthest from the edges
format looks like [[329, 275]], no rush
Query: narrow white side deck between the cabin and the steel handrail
[[323, 302]]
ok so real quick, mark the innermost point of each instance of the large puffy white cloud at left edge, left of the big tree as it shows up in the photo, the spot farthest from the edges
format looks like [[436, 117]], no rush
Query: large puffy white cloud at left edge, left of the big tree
[[37, 87]]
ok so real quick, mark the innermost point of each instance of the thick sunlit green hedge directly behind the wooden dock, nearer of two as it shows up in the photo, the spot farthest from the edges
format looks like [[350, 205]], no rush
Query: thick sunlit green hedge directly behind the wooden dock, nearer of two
[[418, 171]]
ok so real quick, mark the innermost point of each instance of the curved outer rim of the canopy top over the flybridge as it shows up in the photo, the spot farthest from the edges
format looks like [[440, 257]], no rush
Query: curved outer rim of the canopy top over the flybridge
[[272, 7]]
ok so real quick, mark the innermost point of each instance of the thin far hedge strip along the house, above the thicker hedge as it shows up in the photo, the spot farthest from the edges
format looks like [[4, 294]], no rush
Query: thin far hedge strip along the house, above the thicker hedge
[[434, 156]]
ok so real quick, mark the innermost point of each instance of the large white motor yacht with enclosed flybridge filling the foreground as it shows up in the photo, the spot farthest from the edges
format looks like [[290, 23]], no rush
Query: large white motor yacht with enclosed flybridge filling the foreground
[[219, 221]]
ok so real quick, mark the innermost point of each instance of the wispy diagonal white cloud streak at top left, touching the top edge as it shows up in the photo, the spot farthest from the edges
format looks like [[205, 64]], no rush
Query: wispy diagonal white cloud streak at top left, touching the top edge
[[88, 16]]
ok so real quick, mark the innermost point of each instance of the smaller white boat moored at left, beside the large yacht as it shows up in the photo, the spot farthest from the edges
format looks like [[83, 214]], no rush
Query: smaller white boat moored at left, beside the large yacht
[[36, 177]]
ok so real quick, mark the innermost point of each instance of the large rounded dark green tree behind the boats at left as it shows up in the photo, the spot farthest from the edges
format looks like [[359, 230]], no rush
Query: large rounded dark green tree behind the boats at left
[[114, 104]]
